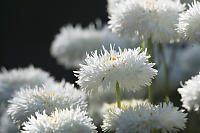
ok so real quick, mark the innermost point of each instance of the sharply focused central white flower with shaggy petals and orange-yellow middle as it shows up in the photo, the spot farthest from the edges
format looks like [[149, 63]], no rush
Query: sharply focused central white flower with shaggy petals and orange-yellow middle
[[130, 68]]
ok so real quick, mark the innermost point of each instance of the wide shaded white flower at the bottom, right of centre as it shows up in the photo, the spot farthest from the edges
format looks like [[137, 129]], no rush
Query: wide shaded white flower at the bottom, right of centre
[[144, 118]]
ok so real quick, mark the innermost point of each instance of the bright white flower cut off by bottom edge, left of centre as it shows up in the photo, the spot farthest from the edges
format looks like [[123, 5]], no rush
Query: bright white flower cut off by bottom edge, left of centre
[[61, 121]]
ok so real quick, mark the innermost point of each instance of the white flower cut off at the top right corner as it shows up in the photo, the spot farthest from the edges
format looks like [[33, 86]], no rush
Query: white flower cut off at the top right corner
[[189, 22]]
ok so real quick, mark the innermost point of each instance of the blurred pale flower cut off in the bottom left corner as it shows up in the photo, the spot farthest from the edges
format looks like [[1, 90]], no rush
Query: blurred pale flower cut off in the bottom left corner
[[6, 124]]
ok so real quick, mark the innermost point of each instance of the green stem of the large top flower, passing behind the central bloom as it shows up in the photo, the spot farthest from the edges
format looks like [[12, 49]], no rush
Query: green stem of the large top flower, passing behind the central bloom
[[150, 52]]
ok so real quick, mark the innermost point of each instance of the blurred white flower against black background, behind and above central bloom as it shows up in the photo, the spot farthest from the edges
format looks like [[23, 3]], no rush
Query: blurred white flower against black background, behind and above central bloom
[[71, 44]]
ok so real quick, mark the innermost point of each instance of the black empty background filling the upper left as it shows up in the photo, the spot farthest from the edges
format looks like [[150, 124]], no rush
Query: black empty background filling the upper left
[[29, 27]]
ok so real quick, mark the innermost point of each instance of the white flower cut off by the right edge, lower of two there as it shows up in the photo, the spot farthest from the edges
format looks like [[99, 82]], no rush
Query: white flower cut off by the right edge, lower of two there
[[190, 93]]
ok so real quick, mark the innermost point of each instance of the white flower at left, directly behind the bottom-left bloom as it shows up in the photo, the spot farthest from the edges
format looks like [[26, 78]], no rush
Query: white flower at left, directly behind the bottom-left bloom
[[30, 100]]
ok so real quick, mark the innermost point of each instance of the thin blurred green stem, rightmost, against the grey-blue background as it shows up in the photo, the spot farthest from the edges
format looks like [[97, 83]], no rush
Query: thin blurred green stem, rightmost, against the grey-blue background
[[166, 69]]
